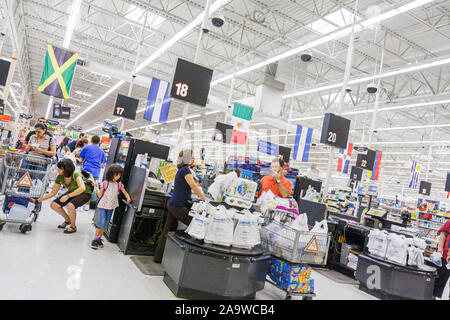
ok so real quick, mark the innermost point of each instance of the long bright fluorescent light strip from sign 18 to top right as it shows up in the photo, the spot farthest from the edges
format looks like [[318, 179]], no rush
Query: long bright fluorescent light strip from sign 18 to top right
[[333, 36]]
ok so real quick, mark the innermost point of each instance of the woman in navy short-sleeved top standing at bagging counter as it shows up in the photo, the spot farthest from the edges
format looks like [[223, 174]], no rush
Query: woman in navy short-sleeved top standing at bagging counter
[[178, 204]]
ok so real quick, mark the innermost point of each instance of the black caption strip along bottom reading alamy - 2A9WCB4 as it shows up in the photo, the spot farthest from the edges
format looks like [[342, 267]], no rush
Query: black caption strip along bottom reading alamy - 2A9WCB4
[[206, 309]]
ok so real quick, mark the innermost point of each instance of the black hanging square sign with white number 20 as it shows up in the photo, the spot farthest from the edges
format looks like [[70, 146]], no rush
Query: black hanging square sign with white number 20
[[335, 131]]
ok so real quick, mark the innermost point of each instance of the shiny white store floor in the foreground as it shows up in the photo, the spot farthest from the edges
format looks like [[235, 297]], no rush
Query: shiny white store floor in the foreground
[[48, 264]]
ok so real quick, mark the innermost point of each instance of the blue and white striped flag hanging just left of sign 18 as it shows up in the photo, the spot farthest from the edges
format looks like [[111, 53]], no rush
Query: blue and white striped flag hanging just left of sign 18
[[158, 101]]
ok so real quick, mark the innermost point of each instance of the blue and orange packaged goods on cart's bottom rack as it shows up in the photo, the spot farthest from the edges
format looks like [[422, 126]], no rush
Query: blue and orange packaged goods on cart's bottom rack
[[290, 277]]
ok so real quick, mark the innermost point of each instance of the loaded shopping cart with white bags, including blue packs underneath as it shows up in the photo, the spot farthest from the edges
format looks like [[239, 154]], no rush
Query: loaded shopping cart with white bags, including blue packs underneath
[[294, 247]]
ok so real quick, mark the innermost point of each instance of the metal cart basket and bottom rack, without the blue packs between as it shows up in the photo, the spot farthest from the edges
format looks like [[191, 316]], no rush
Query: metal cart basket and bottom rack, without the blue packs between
[[301, 248]]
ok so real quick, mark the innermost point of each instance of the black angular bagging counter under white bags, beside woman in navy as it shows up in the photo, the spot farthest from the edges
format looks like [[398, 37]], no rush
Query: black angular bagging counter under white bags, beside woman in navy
[[196, 270]]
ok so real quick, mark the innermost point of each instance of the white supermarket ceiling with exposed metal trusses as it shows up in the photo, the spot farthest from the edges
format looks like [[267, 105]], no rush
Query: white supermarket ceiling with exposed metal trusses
[[114, 36]]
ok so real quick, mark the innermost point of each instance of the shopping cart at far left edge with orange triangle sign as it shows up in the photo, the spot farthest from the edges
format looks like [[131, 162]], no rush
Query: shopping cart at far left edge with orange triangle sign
[[25, 176]]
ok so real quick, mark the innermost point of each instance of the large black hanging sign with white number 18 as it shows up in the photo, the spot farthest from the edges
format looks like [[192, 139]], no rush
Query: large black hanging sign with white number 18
[[191, 82]]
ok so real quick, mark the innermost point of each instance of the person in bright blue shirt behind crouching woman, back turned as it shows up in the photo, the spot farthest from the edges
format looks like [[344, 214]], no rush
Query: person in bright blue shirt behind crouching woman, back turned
[[94, 159]]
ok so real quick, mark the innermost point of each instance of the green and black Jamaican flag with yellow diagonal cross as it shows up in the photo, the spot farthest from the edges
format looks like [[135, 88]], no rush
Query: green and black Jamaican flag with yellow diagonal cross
[[58, 72]]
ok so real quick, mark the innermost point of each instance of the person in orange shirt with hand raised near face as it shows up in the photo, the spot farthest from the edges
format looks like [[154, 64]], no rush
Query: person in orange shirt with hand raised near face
[[277, 183]]
